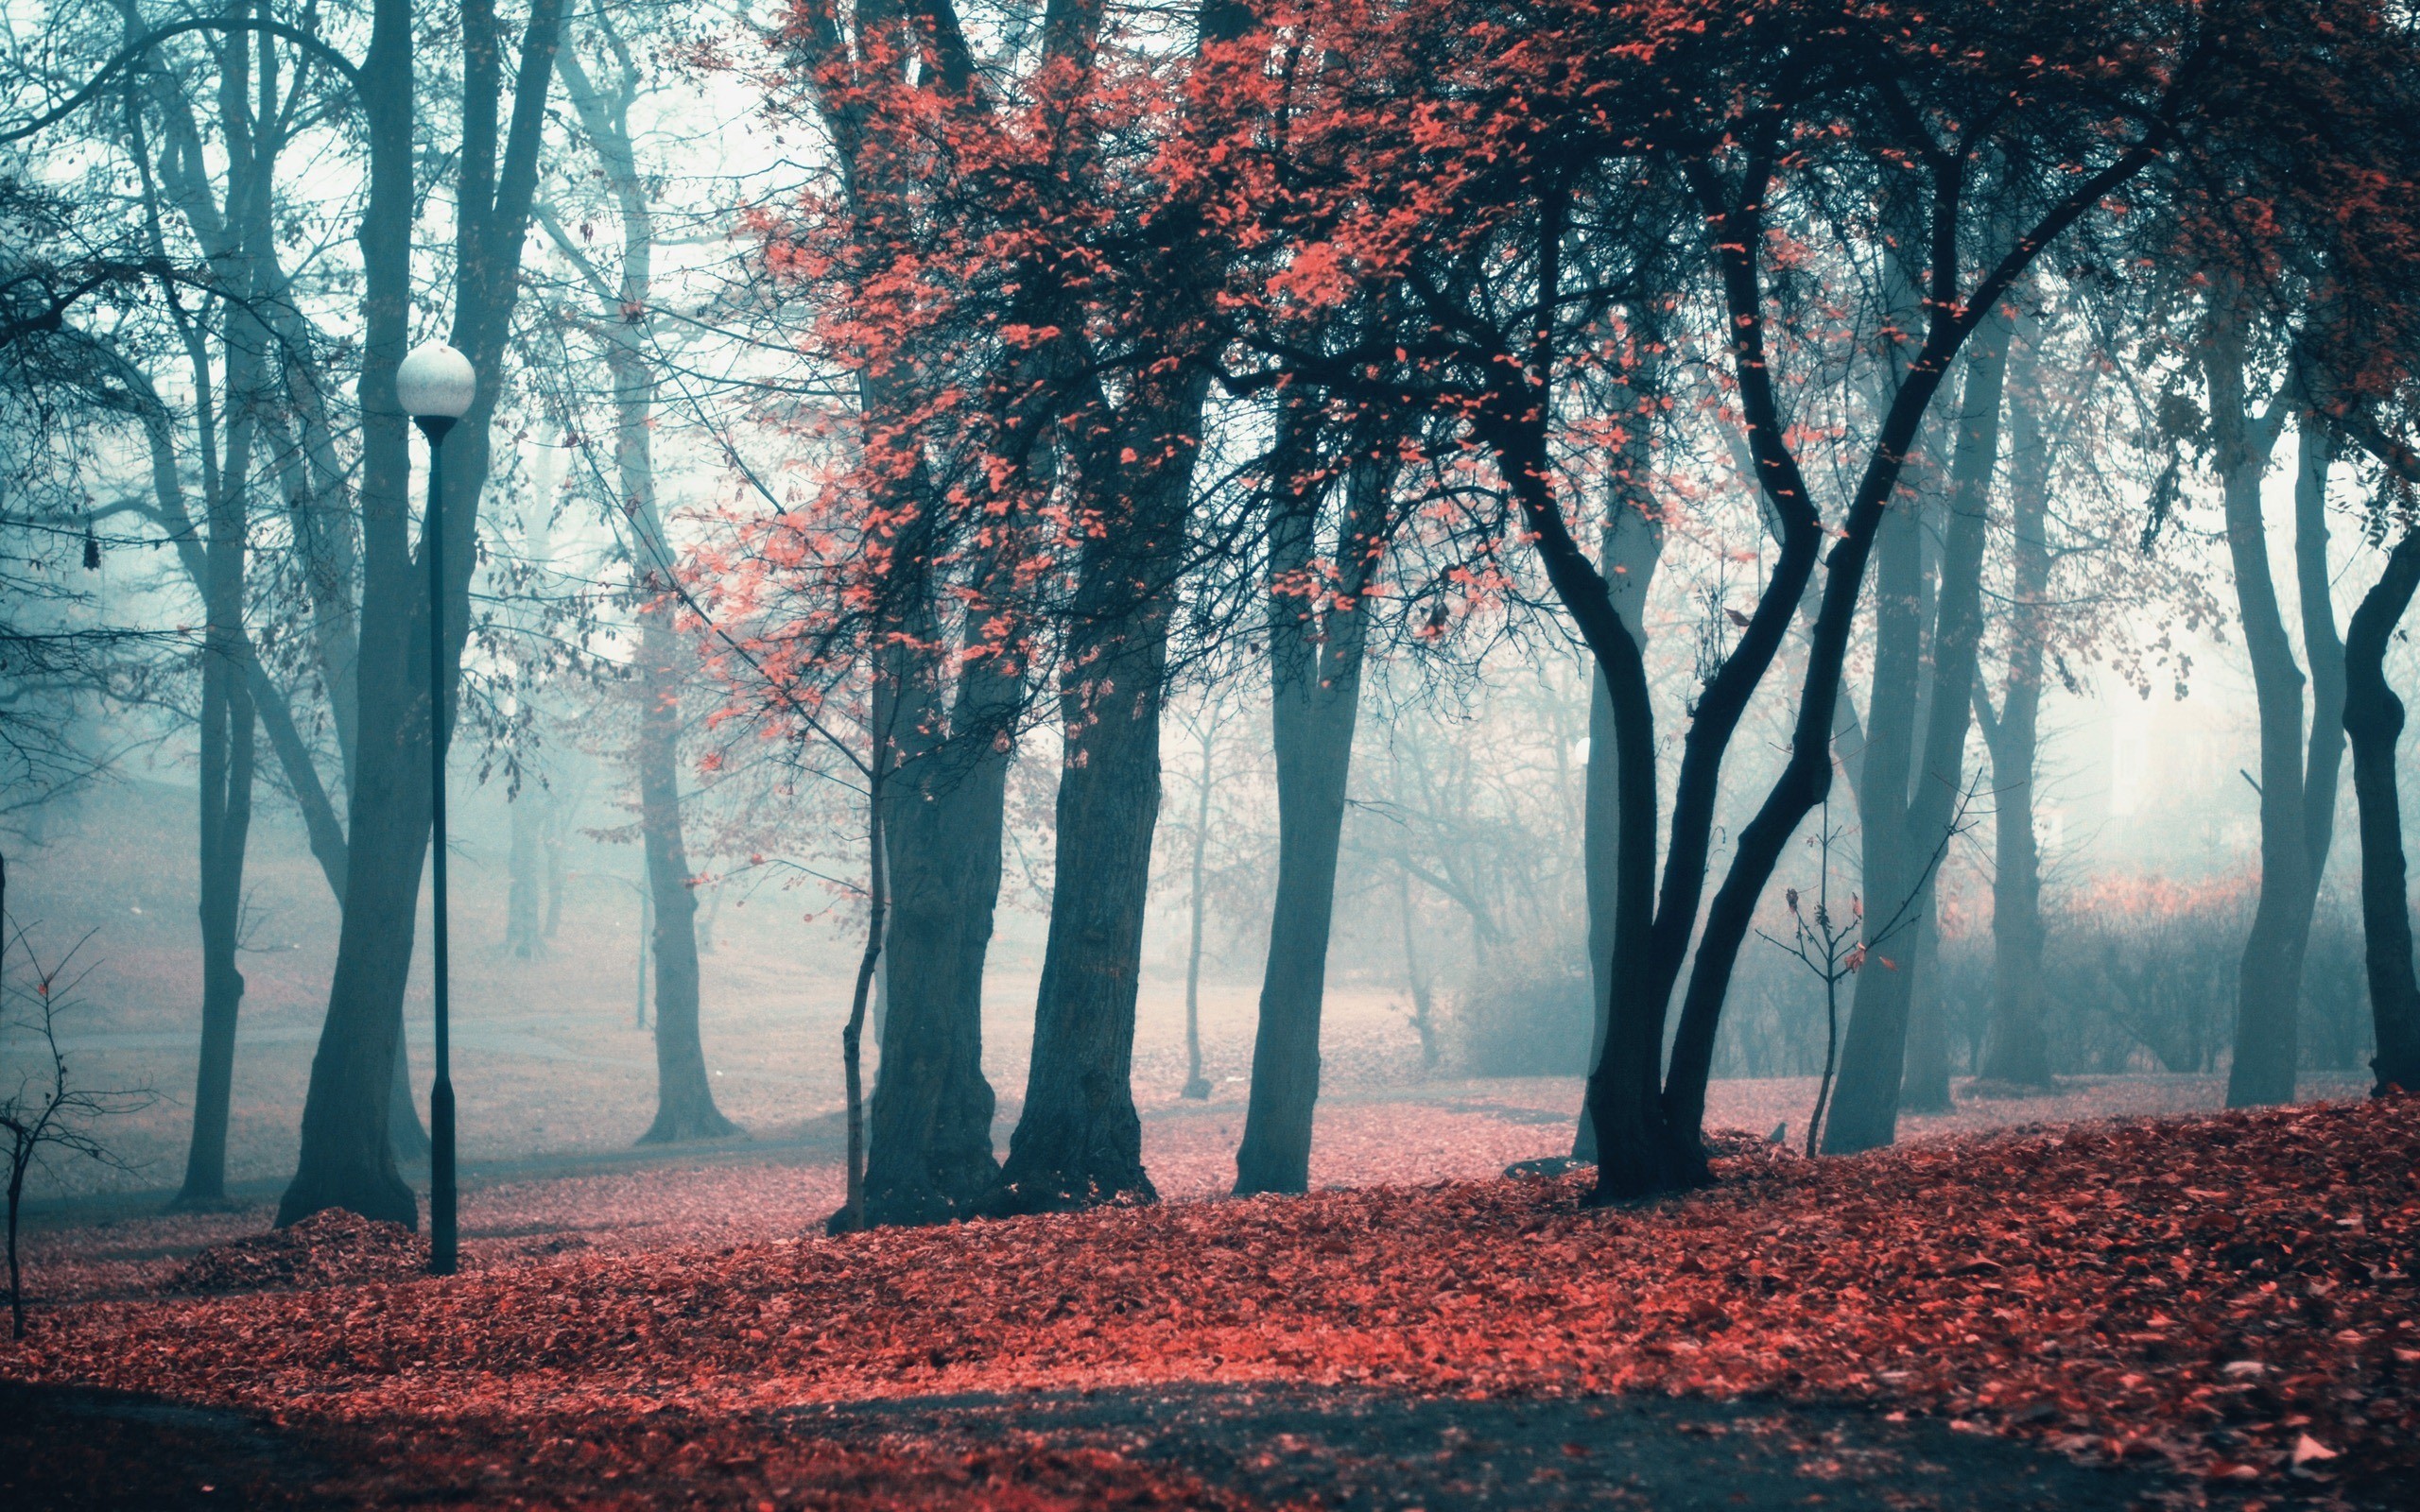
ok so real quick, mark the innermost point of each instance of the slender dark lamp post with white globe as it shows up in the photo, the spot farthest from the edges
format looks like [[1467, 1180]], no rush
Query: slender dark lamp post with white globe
[[437, 386]]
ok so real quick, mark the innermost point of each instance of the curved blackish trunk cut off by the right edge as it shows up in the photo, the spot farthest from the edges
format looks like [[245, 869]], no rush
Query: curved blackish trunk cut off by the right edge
[[2375, 722]]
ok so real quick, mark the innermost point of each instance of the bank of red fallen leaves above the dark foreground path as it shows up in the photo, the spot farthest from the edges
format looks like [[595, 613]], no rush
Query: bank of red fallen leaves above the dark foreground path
[[2220, 1298]]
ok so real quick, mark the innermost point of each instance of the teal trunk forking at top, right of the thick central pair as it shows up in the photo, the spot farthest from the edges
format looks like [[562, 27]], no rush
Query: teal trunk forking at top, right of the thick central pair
[[1315, 662]]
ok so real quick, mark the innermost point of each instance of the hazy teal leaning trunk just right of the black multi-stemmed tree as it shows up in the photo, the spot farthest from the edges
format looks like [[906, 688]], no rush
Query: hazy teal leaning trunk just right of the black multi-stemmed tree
[[1874, 1054]]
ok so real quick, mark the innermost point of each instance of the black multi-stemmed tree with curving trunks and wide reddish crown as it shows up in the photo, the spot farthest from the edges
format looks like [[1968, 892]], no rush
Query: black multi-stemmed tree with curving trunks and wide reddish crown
[[1535, 180]]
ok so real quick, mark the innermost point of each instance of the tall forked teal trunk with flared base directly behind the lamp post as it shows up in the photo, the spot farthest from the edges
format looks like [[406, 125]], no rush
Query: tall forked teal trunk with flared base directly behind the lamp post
[[347, 1158]]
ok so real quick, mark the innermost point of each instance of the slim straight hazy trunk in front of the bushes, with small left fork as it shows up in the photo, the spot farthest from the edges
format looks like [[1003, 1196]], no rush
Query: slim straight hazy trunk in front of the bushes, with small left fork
[[2017, 1049]]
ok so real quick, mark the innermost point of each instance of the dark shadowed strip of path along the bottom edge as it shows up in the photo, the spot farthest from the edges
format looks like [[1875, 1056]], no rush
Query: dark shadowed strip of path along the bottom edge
[[1189, 1445]]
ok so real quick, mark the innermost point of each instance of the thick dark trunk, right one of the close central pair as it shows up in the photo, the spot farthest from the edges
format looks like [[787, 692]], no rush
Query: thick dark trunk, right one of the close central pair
[[1078, 1141]]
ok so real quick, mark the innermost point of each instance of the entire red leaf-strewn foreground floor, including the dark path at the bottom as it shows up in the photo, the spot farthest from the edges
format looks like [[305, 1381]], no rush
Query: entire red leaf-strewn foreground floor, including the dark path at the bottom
[[2206, 1310]]
